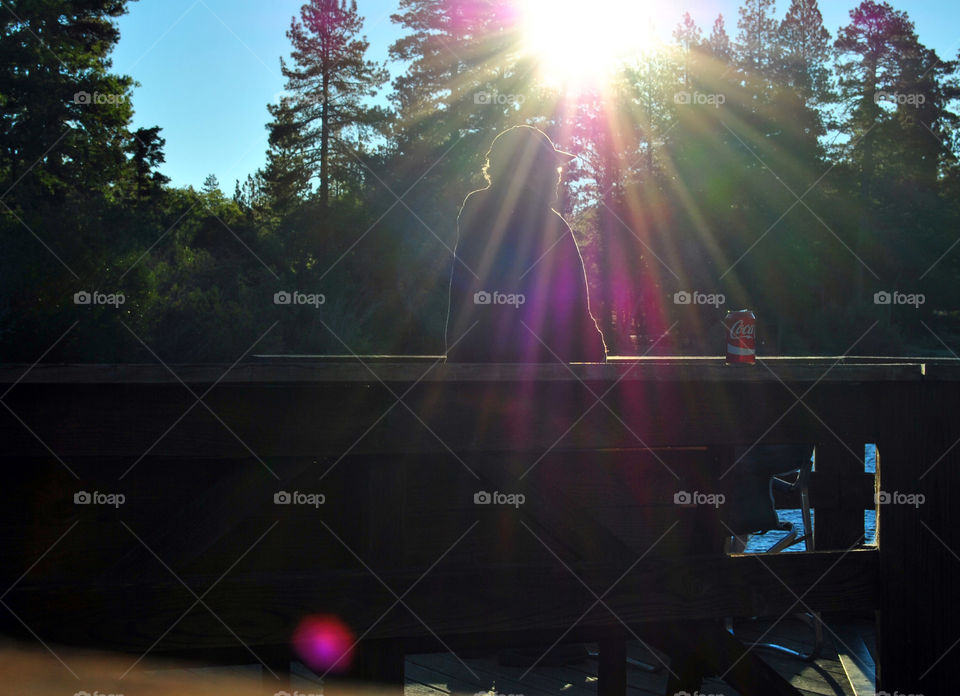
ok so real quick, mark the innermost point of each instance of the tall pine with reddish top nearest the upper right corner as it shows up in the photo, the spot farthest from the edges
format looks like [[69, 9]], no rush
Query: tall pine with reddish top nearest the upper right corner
[[898, 92]]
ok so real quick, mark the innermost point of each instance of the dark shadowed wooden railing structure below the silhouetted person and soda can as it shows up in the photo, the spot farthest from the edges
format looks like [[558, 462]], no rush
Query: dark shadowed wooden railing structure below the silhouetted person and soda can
[[200, 559]]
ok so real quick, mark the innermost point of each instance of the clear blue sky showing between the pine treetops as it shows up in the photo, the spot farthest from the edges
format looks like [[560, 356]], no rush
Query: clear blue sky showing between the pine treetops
[[208, 68]]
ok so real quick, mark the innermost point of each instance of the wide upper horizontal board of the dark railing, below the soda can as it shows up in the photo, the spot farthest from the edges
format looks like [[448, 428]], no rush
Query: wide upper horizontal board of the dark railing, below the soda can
[[329, 419]]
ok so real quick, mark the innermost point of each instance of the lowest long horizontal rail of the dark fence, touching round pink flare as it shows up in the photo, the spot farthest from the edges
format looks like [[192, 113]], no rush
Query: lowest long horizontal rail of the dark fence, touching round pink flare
[[263, 609]]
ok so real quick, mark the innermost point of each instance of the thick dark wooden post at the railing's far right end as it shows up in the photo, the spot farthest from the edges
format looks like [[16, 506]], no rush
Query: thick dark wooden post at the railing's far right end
[[918, 616]]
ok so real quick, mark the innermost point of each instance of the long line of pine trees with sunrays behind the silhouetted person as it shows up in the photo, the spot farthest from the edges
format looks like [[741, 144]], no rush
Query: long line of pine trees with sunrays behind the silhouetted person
[[792, 171]]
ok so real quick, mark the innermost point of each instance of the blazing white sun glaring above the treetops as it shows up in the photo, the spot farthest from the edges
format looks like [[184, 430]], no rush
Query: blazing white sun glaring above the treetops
[[579, 43]]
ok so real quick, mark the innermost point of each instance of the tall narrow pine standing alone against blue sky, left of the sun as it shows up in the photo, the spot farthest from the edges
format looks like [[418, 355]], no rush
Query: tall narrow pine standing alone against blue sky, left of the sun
[[328, 80]]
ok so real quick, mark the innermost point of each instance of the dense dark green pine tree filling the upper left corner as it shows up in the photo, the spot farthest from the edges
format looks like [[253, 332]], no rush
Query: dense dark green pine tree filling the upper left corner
[[63, 115]]
